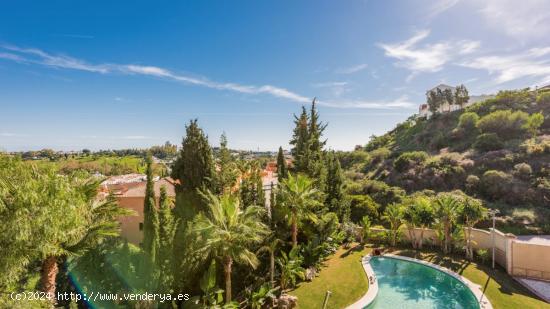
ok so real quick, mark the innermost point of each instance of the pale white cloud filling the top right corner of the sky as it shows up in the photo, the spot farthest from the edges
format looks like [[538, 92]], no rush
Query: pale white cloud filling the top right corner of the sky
[[526, 19]]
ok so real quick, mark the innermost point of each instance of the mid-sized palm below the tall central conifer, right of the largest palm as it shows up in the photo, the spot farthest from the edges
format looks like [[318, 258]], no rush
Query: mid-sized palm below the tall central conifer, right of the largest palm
[[298, 198]]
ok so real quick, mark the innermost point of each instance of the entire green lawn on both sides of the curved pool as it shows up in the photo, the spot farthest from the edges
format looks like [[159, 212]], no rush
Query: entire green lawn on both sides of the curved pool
[[343, 275]]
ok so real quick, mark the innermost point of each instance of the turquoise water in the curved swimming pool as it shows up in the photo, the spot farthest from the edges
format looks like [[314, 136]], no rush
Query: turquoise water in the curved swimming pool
[[409, 285]]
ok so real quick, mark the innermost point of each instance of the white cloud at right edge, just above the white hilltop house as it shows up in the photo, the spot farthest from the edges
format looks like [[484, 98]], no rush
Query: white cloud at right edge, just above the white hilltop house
[[530, 63]]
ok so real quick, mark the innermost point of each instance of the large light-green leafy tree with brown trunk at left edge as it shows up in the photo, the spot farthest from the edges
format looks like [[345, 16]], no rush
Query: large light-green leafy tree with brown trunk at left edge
[[49, 218]]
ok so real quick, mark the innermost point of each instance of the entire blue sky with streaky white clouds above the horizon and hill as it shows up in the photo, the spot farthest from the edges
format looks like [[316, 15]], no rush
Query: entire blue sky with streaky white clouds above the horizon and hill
[[117, 74]]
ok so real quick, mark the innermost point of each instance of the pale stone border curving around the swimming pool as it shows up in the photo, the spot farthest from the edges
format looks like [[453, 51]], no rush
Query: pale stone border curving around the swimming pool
[[369, 297]]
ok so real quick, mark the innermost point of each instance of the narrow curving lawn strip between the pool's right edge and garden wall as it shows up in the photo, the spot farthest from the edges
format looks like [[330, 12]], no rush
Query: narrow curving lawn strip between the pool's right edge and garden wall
[[501, 289]]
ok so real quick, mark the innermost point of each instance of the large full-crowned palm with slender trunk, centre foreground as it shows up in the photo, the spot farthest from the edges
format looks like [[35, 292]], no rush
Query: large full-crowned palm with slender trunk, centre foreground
[[227, 231]]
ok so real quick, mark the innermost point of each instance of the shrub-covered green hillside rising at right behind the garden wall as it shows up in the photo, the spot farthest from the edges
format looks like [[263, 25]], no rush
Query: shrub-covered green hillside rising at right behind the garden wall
[[497, 150]]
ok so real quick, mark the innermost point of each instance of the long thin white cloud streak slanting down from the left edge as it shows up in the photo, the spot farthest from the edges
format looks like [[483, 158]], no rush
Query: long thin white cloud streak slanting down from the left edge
[[36, 56]]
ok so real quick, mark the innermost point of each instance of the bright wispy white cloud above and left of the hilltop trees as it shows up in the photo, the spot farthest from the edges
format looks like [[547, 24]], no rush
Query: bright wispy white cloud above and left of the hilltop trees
[[428, 57]]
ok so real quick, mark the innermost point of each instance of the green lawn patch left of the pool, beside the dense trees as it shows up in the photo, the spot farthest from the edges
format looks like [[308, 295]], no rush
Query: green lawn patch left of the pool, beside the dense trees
[[342, 274]]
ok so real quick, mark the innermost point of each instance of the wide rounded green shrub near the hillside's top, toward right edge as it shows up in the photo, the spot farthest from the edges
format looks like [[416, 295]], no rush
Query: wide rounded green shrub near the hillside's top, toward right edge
[[505, 123]]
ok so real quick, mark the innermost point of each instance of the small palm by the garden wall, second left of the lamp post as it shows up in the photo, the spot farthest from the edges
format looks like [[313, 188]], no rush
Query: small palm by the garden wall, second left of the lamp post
[[446, 208]]
